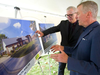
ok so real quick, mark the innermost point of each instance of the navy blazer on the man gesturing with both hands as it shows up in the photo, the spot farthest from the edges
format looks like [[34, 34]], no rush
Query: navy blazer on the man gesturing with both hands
[[85, 58]]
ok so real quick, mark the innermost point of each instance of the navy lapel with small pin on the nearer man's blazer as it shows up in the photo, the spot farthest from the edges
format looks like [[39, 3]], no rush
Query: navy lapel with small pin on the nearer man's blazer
[[86, 32]]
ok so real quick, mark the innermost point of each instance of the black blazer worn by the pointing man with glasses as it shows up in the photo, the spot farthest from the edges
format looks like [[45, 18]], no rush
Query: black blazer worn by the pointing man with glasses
[[63, 28]]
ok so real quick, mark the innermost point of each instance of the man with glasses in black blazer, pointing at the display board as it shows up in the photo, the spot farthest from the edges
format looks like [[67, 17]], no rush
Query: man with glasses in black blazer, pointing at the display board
[[70, 32]]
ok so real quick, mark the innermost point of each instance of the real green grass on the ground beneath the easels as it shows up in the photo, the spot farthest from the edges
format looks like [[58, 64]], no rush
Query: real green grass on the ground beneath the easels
[[44, 62]]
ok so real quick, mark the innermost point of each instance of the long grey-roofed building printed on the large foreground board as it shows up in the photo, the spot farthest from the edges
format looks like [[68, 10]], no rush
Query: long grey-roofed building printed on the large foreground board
[[11, 44]]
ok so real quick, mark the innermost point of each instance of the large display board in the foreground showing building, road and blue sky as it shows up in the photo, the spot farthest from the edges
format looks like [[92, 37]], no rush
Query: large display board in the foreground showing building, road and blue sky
[[19, 44]]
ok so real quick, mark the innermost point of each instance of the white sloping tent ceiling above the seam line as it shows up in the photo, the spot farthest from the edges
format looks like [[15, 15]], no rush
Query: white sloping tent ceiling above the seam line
[[57, 7]]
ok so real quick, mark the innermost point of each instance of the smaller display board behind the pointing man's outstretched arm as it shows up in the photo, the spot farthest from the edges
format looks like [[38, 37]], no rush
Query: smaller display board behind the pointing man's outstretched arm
[[49, 39]]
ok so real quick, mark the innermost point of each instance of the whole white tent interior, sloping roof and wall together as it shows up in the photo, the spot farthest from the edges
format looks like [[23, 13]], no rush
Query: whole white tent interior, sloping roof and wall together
[[51, 6]]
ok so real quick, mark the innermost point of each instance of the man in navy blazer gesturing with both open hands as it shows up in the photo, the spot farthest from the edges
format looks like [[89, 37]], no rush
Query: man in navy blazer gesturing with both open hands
[[85, 58]]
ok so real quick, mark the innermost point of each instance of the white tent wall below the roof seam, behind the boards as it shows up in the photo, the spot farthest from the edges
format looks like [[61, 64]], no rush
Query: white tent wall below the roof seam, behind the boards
[[32, 15]]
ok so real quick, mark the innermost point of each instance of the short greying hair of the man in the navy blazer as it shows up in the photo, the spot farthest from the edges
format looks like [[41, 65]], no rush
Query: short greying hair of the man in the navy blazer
[[89, 6]]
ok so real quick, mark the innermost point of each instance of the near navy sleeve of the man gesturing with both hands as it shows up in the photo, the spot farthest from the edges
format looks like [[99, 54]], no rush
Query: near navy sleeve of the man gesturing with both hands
[[91, 67]]
